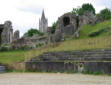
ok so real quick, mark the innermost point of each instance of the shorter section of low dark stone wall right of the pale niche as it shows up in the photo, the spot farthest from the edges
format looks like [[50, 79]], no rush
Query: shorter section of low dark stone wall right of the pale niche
[[102, 67]]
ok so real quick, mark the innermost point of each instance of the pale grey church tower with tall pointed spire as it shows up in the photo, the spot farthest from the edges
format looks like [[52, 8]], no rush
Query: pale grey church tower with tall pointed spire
[[43, 23]]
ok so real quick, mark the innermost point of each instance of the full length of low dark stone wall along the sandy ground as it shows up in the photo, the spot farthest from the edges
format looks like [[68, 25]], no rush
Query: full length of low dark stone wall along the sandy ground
[[101, 67]]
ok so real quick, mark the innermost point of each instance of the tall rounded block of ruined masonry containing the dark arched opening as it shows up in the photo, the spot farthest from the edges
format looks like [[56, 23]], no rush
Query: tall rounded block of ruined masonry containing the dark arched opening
[[67, 25]]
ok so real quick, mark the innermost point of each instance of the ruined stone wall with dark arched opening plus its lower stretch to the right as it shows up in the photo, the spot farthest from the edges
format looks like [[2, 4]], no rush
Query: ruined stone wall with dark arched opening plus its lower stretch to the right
[[68, 24]]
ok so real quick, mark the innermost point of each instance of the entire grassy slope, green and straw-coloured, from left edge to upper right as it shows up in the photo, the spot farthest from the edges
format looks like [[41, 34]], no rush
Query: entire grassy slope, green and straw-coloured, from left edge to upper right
[[83, 43]]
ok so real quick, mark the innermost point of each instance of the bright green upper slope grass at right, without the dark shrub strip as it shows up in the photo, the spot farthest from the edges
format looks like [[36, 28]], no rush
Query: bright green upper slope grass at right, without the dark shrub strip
[[88, 29]]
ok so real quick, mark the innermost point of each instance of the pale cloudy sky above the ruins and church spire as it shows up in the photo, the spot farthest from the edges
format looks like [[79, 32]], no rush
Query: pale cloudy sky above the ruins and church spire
[[25, 14]]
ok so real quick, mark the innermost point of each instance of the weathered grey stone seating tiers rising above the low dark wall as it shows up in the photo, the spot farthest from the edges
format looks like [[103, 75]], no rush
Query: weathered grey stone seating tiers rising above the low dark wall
[[96, 55]]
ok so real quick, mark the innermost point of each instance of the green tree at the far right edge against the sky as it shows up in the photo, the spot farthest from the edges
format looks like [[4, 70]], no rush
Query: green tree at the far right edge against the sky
[[106, 14]]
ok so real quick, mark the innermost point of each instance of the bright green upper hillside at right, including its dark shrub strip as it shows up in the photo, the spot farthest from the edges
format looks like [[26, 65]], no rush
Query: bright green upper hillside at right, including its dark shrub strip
[[100, 29]]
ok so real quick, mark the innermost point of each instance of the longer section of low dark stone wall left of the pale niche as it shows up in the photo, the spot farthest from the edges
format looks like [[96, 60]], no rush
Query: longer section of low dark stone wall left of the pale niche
[[51, 66]]
